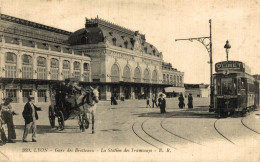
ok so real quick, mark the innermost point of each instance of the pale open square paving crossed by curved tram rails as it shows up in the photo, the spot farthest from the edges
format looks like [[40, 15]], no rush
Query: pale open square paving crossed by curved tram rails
[[180, 134]]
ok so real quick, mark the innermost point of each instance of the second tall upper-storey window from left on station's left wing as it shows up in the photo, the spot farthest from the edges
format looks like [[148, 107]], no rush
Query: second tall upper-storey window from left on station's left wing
[[27, 67]]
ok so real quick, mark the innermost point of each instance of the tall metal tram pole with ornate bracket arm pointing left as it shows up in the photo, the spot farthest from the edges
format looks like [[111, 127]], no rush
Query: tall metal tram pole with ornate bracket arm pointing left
[[208, 46]]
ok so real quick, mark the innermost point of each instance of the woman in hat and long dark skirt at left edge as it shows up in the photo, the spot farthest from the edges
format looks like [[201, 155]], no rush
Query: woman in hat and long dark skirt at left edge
[[7, 116]]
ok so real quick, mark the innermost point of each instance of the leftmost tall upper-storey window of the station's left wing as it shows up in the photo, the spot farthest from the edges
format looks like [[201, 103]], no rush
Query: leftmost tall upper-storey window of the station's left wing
[[10, 65]]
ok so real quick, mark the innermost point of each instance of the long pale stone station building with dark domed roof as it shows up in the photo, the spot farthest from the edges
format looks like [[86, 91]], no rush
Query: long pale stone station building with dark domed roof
[[120, 61]]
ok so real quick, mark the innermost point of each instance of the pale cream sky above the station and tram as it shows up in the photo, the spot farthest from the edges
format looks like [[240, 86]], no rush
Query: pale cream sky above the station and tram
[[163, 21]]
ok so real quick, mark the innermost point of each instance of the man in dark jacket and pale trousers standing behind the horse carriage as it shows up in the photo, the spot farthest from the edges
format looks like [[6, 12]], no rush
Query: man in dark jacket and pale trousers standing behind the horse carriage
[[30, 116]]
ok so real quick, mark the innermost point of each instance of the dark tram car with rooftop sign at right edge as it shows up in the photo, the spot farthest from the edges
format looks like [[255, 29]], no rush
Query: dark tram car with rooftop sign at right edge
[[235, 90]]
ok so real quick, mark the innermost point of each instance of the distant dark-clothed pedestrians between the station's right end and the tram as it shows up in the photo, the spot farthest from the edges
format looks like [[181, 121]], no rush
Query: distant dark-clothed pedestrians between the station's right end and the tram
[[162, 102]]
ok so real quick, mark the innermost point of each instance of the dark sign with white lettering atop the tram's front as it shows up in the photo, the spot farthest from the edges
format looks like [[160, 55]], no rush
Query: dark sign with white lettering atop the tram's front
[[230, 66]]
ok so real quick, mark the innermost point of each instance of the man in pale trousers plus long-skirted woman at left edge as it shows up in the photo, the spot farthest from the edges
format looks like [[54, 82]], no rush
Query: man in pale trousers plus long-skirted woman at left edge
[[6, 121]]
